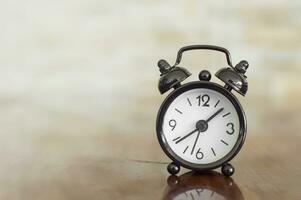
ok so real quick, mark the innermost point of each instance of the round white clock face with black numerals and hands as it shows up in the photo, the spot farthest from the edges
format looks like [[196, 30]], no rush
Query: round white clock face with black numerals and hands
[[201, 126]]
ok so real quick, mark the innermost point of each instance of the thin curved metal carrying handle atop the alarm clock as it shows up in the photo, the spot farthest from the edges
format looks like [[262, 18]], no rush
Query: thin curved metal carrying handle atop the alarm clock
[[208, 47]]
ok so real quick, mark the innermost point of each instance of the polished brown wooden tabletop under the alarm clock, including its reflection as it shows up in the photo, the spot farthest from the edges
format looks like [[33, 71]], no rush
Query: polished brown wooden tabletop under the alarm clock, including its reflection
[[123, 167]]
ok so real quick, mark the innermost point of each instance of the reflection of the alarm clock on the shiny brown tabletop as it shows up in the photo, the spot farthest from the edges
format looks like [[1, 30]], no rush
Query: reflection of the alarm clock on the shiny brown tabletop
[[193, 186]]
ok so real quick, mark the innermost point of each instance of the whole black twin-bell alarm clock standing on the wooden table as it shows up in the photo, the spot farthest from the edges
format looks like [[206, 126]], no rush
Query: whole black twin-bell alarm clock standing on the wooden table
[[201, 125]]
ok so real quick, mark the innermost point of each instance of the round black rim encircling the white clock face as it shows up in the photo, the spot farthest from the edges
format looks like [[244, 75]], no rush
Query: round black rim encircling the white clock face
[[208, 85]]
